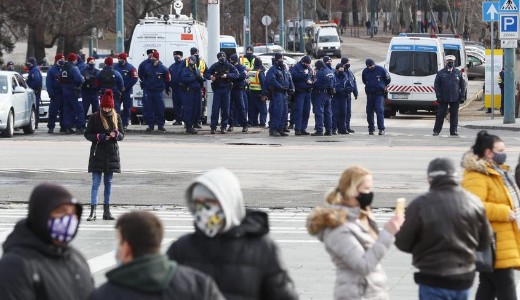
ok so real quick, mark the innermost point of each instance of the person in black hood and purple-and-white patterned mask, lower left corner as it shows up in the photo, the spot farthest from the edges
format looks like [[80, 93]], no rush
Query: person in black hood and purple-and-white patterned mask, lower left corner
[[38, 261]]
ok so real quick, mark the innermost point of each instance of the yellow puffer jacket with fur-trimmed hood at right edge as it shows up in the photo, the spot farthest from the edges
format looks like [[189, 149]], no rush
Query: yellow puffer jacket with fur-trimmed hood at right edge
[[482, 180]]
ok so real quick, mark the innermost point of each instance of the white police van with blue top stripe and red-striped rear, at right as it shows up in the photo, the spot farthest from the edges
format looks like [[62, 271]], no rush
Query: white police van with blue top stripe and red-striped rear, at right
[[413, 63]]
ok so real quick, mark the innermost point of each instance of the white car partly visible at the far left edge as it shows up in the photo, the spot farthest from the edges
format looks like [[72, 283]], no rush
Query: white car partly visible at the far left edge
[[17, 104]]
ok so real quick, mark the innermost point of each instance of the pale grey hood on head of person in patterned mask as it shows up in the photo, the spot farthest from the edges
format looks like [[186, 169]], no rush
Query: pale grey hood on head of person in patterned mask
[[226, 187]]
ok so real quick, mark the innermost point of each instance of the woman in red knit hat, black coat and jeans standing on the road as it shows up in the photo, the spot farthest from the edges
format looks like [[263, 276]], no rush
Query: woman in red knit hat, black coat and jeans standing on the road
[[104, 130]]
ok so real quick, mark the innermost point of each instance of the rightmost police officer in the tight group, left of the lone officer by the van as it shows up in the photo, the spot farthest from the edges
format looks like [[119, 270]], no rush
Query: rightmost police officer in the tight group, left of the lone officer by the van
[[344, 85]]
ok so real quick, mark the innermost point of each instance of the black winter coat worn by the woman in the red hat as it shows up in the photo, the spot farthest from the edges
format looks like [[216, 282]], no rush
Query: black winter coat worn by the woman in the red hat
[[104, 155]]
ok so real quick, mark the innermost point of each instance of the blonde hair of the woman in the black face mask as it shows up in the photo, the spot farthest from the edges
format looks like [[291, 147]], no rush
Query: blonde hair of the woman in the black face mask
[[348, 183]]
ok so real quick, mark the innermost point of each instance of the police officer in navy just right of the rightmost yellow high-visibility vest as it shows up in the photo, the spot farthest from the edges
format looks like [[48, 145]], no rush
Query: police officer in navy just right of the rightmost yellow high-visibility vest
[[279, 83]]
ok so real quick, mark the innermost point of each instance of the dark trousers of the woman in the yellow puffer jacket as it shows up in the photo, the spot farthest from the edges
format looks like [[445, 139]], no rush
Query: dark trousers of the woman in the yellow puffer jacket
[[500, 284]]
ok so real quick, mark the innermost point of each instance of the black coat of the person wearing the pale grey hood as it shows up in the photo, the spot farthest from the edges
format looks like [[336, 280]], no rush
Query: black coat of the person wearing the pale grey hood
[[244, 261]]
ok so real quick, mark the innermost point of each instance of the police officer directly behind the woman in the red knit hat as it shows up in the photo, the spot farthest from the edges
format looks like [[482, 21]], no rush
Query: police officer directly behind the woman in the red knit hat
[[108, 78]]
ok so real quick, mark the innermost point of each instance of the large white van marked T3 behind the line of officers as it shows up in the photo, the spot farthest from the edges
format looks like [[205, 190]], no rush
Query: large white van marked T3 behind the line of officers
[[165, 33]]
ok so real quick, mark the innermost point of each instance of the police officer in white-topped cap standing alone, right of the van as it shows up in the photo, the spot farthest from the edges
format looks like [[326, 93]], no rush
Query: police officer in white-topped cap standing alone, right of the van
[[449, 89]]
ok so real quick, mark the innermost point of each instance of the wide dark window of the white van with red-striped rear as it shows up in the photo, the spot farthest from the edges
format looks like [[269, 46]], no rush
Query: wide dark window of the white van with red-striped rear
[[413, 63]]
